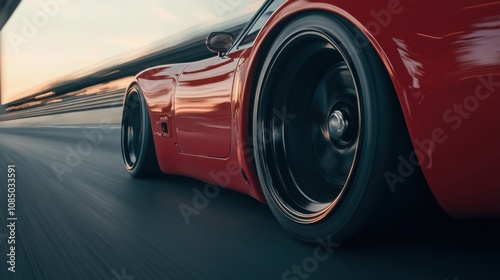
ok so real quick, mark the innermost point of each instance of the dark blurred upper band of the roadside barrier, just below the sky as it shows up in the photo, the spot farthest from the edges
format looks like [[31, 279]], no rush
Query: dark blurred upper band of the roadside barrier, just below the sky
[[185, 47]]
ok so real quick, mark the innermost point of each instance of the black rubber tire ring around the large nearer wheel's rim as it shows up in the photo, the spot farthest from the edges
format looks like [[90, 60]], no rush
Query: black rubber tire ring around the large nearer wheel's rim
[[365, 188]]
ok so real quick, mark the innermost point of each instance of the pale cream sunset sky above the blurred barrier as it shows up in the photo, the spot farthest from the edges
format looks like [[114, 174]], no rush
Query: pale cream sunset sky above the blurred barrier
[[47, 39]]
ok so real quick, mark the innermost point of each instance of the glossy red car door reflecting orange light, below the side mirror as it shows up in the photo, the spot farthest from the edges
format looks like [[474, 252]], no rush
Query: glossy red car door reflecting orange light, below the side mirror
[[203, 106]]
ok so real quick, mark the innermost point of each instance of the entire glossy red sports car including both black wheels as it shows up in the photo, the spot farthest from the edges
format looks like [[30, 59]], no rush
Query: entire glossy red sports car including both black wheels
[[325, 109]]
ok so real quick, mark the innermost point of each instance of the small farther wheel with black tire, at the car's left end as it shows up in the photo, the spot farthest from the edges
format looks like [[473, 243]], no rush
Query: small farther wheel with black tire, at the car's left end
[[138, 151]]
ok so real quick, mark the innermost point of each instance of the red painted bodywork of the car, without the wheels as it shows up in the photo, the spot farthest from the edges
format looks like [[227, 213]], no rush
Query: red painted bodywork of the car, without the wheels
[[444, 62]]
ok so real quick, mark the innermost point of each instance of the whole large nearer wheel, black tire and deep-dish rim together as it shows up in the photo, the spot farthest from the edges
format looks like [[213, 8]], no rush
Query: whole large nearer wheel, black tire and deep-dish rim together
[[326, 126]]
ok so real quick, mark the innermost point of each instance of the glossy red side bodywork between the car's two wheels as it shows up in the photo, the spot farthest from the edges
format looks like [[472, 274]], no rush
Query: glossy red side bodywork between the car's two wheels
[[199, 97]]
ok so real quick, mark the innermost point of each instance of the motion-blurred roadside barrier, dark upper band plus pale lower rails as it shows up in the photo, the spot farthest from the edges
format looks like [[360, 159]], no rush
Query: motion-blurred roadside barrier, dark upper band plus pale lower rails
[[176, 49]]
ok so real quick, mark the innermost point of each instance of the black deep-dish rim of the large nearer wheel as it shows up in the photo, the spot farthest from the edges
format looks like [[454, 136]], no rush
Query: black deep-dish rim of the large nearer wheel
[[310, 155]]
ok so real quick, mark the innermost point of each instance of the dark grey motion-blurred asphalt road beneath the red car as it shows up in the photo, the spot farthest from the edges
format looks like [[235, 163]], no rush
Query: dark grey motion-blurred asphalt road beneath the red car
[[83, 217]]
